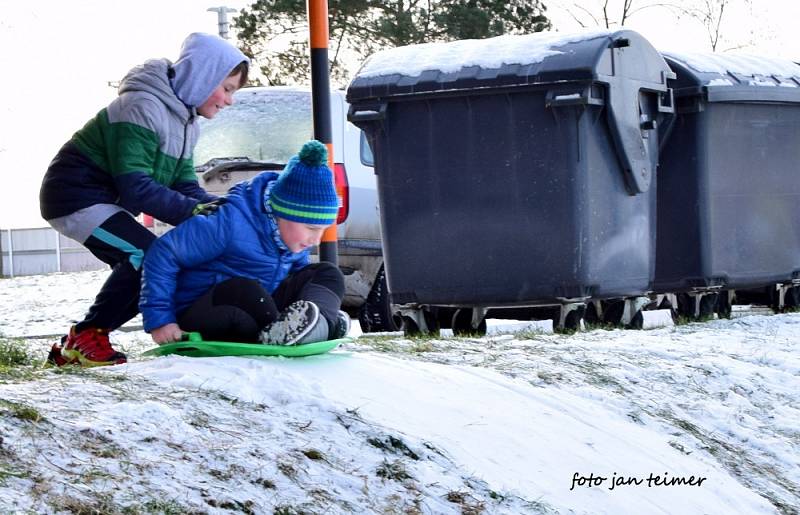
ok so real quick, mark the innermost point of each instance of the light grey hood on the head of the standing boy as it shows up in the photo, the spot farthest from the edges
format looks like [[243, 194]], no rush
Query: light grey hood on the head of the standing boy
[[204, 62]]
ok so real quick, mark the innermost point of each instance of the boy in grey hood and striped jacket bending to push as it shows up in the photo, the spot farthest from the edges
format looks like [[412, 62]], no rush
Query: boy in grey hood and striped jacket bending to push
[[135, 156]]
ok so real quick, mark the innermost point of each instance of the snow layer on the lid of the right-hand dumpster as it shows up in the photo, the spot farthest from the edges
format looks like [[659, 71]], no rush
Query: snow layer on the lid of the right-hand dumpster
[[739, 69]]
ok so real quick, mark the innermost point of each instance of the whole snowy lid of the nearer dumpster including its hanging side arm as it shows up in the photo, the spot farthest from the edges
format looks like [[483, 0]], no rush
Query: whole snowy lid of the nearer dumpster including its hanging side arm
[[571, 64]]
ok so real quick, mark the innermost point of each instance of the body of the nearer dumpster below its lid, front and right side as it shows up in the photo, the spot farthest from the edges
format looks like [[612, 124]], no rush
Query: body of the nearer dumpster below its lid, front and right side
[[496, 199]]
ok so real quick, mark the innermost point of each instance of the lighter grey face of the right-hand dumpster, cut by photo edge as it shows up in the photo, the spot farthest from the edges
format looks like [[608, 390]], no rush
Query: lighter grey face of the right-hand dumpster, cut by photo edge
[[754, 206]]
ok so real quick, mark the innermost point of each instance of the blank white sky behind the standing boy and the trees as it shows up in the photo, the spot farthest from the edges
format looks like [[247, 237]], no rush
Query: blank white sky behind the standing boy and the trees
[[58, 58]]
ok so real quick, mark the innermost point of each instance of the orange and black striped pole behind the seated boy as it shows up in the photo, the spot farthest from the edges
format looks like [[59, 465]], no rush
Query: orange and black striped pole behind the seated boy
[[321, 103]]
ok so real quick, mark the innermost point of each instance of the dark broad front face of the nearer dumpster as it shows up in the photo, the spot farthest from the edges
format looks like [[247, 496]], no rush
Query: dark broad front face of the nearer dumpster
[[477, 196]]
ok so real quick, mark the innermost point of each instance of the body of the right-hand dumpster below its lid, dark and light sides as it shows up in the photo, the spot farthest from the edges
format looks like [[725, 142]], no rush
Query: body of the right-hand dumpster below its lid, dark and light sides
[[729, 198]]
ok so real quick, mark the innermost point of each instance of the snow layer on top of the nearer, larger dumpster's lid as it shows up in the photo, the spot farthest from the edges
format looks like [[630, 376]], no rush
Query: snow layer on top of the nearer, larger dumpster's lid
[[489, 53]]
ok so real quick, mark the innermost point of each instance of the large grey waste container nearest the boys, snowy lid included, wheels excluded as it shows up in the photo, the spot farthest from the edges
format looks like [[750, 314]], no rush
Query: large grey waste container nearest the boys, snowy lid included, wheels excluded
[[515, 170]]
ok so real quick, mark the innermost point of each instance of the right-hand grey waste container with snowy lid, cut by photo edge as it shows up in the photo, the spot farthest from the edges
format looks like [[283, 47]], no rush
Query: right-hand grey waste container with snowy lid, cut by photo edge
[[729, 183]]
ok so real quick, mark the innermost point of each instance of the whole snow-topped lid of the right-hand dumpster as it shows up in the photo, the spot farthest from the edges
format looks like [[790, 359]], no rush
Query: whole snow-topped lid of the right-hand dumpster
[[734, 77]]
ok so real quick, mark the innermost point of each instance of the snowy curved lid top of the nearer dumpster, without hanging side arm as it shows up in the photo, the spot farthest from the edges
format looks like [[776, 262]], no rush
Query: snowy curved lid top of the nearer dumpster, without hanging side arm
[[509, 60]]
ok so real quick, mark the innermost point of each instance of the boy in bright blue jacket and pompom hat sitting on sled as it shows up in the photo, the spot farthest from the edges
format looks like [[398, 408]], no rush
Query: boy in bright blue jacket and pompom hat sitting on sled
[[243, 273]]
